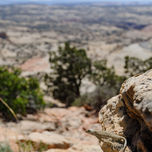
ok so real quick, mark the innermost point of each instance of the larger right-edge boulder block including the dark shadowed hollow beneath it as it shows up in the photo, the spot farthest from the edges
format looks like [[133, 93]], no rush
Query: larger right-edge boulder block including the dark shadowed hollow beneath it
[[136, 93]]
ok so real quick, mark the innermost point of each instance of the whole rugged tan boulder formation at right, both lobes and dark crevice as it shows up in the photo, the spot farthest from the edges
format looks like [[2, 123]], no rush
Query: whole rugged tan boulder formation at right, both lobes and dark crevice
[[130, 113]]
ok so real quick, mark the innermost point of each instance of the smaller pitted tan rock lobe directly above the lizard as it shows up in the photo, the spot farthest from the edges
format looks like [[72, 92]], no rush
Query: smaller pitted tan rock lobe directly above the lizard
[[111, 116]]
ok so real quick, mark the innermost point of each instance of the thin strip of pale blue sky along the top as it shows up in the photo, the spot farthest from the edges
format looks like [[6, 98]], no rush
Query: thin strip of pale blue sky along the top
[[68, 1]]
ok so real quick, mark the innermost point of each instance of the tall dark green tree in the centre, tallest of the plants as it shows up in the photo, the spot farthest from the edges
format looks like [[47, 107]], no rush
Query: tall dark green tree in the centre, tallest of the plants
[[70, 65]]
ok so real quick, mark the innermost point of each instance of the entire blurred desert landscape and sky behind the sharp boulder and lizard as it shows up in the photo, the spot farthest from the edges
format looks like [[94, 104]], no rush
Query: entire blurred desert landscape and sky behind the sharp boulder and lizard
[[54, 92]]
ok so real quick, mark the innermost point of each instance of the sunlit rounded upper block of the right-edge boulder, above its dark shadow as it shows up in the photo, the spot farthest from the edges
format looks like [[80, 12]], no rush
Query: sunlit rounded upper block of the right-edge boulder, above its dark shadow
[[137, 94]]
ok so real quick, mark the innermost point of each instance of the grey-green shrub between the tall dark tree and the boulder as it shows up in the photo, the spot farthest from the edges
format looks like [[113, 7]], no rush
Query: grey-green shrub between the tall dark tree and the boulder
[[107, 83]]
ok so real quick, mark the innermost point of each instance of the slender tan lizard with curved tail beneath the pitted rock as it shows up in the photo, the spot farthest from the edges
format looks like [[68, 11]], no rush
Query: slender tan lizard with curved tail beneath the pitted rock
[[104, 135]]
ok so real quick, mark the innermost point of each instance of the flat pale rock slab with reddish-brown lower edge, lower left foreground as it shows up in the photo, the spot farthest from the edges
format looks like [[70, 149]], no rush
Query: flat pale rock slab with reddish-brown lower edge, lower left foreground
[[52, 140]]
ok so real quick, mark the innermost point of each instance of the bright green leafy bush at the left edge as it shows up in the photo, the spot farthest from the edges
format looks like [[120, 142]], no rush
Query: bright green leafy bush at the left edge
[[19, 93]]
